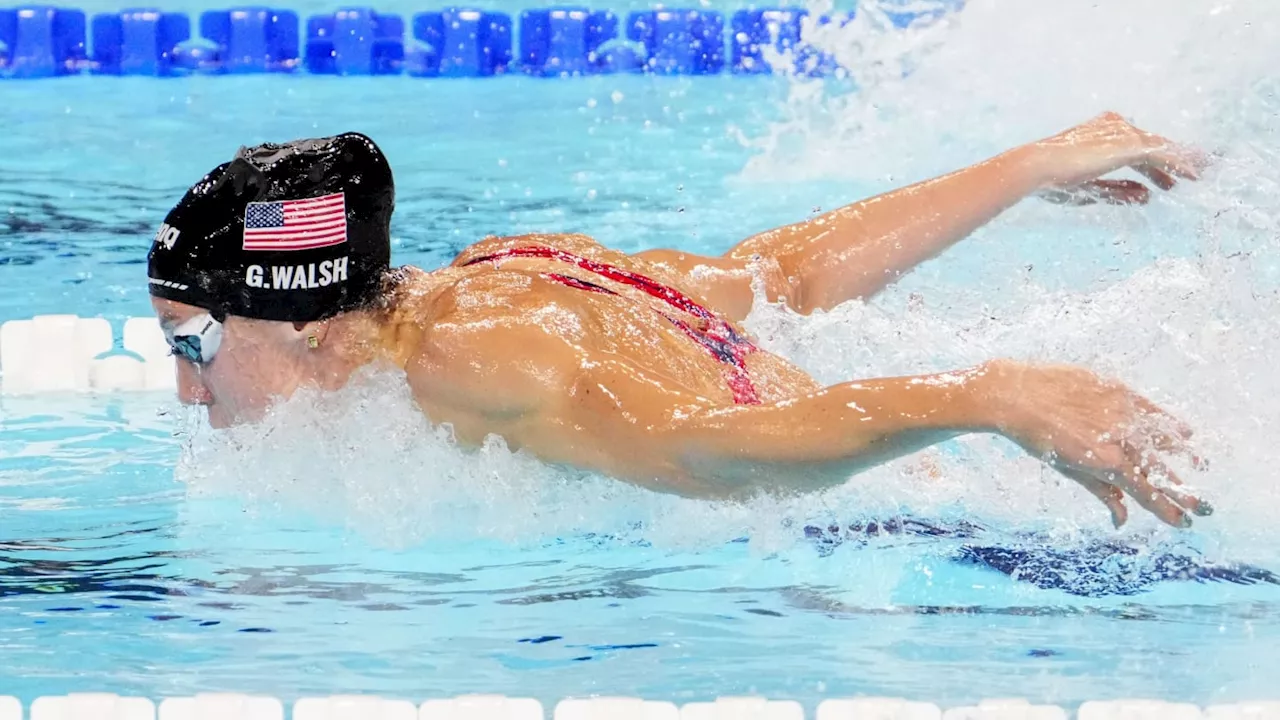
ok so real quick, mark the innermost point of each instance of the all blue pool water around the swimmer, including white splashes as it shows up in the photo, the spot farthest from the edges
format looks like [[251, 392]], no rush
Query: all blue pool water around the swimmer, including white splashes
[[346, 546]]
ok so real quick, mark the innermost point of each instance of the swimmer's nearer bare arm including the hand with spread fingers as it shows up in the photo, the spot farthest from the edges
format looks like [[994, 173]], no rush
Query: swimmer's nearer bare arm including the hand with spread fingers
[[1095, 431]]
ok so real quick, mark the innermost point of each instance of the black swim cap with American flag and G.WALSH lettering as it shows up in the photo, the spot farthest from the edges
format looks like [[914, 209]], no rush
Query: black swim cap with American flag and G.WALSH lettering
[[294, 233]]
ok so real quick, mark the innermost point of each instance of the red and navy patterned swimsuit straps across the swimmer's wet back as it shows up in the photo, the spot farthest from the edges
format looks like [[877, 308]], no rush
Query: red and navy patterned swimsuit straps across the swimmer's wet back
[[720, 339]]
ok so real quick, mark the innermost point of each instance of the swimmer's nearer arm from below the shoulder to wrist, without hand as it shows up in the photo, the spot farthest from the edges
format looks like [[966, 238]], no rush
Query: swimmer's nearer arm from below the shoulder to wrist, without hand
[[641, 430]]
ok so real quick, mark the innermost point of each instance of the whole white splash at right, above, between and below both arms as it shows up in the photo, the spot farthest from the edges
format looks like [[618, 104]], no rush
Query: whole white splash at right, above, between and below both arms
[[1178, 298]]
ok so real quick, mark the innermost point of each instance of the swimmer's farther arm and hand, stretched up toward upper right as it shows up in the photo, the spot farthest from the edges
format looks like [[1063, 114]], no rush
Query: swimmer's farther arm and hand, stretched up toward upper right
[[857, 250]]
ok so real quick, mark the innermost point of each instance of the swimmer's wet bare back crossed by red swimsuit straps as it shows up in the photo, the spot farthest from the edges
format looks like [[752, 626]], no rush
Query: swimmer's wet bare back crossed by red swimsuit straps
[[500, 330]]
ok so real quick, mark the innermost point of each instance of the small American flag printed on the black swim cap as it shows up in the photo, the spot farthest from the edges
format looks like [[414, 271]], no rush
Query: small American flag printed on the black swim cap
[[296, 225]]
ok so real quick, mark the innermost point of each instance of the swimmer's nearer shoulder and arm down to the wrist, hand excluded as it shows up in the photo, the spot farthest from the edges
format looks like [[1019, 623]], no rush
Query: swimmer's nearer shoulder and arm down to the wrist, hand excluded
[[600, 412]]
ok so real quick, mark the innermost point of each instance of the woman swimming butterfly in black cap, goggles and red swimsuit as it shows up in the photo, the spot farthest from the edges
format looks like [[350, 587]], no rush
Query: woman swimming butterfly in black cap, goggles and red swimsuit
[[273, 272]]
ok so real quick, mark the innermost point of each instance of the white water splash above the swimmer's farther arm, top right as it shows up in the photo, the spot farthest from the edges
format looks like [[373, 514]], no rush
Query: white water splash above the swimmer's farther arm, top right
[[1004, 72]]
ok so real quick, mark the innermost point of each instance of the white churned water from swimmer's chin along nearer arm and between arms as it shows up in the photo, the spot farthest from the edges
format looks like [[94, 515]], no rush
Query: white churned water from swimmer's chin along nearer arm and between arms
[[367, 458]]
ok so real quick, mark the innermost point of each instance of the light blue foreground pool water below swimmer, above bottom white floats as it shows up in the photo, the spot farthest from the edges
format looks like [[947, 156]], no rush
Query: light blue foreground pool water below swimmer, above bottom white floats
[[115, 578]]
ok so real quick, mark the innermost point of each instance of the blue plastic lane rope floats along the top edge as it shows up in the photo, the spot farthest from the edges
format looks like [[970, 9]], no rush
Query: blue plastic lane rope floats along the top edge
[[45, 42]]
